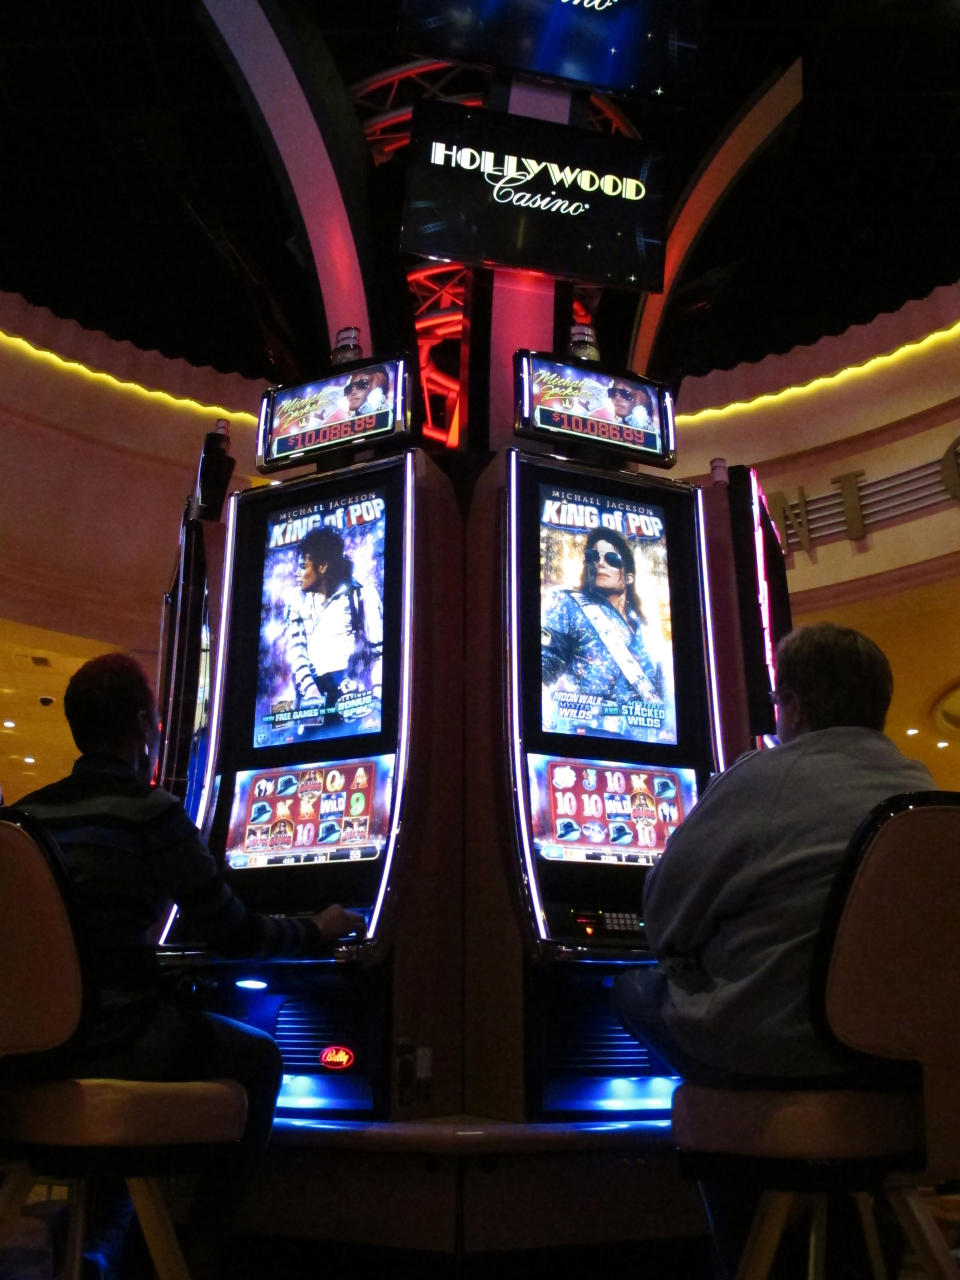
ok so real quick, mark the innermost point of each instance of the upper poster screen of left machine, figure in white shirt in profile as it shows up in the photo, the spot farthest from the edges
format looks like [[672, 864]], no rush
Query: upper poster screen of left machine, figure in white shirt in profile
[[321, 652]]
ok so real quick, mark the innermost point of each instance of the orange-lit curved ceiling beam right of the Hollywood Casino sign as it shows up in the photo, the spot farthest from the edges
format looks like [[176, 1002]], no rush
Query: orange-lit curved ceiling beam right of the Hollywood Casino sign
[[733, 152]]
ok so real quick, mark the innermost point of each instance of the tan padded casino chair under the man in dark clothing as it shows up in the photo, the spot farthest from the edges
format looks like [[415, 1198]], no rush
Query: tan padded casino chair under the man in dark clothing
[[68, 1131]]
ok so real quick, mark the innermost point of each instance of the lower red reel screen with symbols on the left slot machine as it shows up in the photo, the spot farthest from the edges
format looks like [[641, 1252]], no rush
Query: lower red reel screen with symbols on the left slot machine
[[310, 815]]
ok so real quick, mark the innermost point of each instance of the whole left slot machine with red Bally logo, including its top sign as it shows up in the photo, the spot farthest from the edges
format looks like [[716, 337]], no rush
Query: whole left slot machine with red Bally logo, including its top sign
[[335, 766]]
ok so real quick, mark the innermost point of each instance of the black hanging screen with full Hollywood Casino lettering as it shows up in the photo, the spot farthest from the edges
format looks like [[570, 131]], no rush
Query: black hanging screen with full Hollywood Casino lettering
[[486, 188]]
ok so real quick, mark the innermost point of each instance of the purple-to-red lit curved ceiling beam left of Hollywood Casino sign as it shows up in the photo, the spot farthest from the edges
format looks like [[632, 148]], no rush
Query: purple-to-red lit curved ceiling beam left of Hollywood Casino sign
[[317, 184]]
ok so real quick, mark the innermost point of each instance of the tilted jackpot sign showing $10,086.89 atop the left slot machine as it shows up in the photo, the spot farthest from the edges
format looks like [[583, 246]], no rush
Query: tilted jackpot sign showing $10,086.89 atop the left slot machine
[[354, 405]]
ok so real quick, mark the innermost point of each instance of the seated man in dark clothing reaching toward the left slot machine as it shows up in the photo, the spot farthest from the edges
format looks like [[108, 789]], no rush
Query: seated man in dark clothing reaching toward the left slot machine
[[131, 852]]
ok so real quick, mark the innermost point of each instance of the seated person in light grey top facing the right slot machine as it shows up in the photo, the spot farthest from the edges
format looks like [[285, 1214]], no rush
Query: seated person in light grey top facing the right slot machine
[[734, 906]]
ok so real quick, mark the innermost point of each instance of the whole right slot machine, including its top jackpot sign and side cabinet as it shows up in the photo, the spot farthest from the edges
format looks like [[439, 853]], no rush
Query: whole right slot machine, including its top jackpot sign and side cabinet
[[592, 728]]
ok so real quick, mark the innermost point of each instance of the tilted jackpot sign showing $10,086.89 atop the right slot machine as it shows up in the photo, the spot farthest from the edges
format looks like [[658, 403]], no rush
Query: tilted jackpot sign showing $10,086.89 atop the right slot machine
[[575, 400]]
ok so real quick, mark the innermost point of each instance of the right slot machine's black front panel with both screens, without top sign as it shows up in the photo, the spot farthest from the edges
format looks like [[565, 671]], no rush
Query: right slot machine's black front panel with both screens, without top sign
[[610, 705]]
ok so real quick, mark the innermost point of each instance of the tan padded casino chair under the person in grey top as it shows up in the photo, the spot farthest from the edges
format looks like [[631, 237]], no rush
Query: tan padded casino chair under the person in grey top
[[886, 982]]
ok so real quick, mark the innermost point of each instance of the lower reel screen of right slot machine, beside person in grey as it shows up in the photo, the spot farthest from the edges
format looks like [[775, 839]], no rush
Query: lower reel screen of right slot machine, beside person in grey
[[606, 813]]
